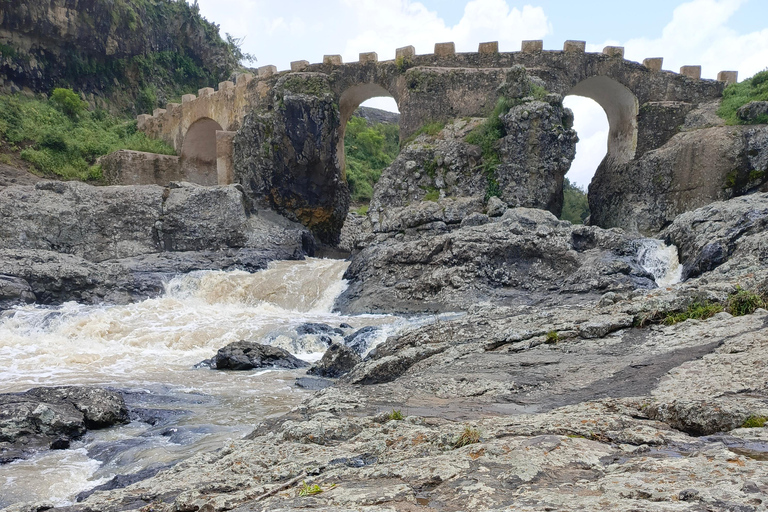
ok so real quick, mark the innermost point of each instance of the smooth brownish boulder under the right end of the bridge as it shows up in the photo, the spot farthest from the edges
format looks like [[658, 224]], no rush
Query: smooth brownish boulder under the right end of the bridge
[[693, 169]]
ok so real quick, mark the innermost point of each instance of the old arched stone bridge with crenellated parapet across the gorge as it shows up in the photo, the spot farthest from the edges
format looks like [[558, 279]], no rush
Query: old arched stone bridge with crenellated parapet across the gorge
[[644, 104]]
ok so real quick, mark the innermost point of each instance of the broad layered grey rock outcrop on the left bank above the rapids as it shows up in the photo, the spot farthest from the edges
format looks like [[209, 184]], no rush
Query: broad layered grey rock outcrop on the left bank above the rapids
[[71, 241]]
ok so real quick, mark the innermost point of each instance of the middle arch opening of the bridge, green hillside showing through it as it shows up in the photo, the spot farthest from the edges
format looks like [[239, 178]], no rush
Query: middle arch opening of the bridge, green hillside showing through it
[[371, 136]]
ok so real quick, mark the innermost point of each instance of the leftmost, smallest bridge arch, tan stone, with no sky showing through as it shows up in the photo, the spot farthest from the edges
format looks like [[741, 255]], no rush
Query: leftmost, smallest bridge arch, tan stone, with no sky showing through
[[198, 152]]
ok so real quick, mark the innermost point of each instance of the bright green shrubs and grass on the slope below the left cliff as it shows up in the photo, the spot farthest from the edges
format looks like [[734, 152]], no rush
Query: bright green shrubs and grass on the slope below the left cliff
[[59, 138]]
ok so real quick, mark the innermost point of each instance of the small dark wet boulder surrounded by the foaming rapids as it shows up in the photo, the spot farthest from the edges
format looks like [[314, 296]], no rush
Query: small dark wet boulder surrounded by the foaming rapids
[[247, 355]]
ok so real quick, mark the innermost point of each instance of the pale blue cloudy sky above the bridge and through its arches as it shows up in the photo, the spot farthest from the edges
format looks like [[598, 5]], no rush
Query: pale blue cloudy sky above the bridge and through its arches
[[716, 34]]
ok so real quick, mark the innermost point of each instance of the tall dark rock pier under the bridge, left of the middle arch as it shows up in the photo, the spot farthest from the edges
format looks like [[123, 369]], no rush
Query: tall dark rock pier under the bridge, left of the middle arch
[[286, 156]]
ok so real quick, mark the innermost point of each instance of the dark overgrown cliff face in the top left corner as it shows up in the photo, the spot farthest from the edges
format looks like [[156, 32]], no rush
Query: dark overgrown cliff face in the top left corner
[[116, 50]]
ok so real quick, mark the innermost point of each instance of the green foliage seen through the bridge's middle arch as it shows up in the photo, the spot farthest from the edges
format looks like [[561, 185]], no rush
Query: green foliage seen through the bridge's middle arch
[[368, 150]]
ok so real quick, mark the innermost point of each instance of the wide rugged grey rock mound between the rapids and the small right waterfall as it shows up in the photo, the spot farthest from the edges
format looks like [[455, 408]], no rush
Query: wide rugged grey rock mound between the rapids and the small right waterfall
[[523, 256]]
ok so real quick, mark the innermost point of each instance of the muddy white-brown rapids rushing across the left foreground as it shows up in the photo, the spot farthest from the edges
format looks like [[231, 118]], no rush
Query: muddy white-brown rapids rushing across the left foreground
[[148, 351]]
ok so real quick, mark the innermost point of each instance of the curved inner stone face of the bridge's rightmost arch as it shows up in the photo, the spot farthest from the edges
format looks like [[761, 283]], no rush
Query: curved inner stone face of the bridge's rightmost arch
[[621, 106]]
